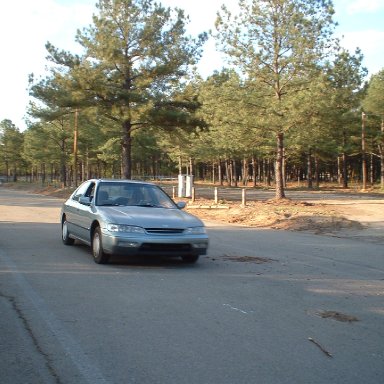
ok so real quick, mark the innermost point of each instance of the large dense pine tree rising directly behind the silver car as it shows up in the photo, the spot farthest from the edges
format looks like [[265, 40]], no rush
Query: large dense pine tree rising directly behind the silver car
[[136, 55]]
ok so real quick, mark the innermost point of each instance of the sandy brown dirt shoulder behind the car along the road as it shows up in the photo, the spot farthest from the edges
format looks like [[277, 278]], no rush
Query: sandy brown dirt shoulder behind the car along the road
[[350, 217]]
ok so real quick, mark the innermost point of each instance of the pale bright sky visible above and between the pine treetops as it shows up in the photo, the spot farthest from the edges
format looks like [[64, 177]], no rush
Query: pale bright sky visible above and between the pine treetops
[[26, 26]]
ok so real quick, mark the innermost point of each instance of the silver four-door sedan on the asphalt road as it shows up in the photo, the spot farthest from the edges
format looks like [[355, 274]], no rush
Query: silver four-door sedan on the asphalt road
[[128, 217]]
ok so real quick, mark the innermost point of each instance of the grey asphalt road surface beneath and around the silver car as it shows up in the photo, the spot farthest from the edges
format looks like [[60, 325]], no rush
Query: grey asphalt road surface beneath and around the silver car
[[262, 307]]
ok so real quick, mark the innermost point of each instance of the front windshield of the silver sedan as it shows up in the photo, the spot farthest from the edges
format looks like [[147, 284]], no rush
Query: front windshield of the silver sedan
[[132, 194]]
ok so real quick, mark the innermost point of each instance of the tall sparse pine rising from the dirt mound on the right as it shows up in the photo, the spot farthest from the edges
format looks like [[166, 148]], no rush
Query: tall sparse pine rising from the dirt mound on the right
[[277, 44]]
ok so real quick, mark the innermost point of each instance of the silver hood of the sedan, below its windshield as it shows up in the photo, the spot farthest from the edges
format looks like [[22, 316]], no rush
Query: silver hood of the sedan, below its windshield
[[149, 217]]
